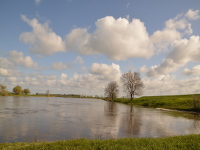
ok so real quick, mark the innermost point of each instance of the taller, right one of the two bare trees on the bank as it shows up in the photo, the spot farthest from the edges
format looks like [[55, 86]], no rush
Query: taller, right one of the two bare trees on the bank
[[132, 84]]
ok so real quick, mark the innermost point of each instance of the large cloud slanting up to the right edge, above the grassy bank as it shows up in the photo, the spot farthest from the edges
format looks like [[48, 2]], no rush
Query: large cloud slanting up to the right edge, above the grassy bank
[[183, 52]]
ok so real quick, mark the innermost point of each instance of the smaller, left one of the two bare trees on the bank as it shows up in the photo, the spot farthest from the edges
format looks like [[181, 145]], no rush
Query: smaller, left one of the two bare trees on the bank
[[112, 90]]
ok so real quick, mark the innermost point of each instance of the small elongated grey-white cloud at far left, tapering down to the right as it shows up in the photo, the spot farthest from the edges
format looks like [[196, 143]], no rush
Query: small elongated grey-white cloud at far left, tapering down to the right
[[19, 59]]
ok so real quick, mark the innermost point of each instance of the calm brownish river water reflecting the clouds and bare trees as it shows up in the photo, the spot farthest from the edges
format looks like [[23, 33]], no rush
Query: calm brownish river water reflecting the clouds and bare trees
[[30, 119]]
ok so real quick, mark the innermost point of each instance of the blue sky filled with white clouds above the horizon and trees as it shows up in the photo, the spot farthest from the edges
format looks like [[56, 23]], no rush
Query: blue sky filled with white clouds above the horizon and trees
[[78, 47]]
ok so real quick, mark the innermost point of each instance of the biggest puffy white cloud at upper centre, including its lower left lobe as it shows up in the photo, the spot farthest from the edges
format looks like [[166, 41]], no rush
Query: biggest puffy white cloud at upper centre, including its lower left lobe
[[118, 39]]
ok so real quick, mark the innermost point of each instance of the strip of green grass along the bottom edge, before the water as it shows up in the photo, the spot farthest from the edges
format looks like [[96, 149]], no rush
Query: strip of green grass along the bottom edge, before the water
[[188, 142]]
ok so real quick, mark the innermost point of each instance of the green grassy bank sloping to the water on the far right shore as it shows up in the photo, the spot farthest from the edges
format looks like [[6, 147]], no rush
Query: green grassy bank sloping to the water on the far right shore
[[178, 102]]
